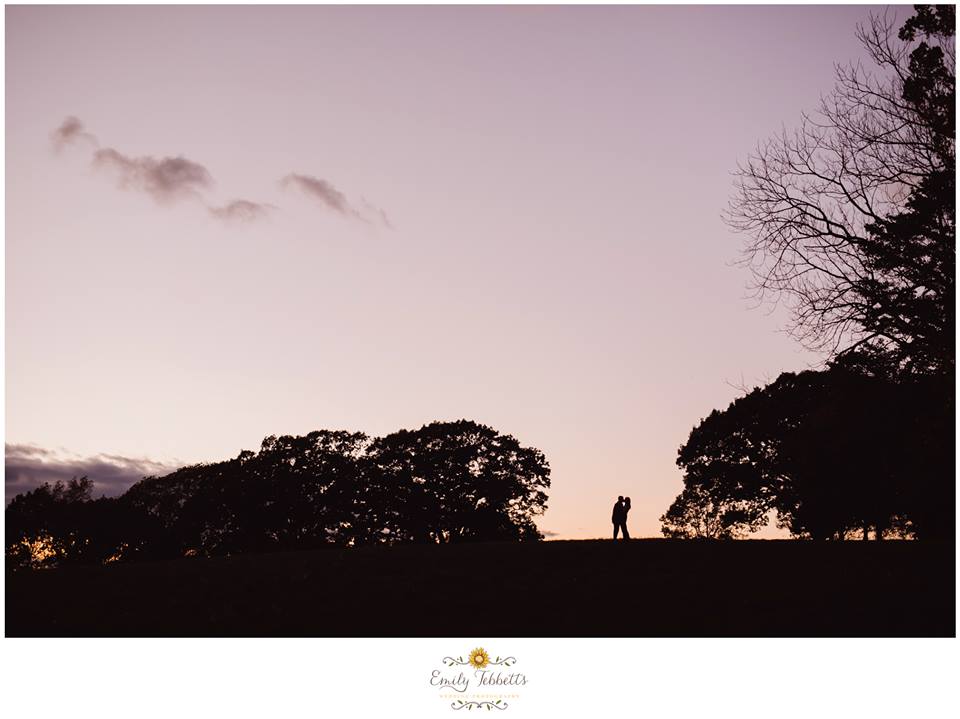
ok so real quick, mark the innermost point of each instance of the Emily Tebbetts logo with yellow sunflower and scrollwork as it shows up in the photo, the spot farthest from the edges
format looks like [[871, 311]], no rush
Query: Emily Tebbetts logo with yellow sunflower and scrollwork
[[478, 681]]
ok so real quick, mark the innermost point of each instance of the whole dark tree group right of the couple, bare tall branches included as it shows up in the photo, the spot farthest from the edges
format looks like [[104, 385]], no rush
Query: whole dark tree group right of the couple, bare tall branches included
[[850, 222]]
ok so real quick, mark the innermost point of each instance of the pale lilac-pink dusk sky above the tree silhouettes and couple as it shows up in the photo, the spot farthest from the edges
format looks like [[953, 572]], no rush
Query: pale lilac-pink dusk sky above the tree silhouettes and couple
[[224, 223]]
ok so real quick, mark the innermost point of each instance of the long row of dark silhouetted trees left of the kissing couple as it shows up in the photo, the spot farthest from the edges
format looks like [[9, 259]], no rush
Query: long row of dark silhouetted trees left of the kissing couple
[[445, 482]]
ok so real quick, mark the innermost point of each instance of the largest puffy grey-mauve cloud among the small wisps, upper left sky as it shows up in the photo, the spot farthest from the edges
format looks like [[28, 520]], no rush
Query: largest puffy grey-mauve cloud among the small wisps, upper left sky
[[166, 180]]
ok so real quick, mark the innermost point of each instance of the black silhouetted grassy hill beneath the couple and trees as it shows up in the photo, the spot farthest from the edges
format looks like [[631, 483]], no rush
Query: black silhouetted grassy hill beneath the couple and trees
[[643, 588]]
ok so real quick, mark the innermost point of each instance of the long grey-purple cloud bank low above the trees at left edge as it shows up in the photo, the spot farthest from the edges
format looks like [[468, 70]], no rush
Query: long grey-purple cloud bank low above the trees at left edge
[[29, 466]]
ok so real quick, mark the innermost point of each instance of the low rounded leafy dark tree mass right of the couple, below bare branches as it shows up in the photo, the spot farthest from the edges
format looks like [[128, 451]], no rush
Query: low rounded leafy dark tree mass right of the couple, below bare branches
[[834, 453]]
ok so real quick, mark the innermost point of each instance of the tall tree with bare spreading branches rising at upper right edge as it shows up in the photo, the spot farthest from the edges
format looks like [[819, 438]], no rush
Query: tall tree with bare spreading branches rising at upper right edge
[[851, 217]]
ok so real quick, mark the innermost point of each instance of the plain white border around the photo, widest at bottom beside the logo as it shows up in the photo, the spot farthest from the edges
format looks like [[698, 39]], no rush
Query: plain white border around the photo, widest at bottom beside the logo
[[568, 677]]
